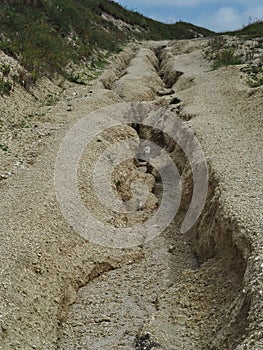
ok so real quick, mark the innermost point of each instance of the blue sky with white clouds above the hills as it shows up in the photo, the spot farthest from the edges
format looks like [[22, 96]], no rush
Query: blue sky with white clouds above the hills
[[212, 14]]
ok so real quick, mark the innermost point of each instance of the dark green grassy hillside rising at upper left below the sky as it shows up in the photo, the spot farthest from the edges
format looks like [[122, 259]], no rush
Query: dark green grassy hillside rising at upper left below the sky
[[44, 35]]
